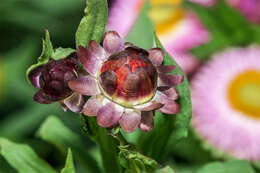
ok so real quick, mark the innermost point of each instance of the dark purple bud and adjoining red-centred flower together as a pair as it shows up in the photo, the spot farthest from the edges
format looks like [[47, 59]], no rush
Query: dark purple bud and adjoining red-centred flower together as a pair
[[126, 83]]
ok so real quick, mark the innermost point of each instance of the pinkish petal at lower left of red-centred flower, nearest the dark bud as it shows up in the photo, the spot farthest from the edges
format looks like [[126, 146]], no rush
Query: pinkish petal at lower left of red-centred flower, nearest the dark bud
[[92, 106]]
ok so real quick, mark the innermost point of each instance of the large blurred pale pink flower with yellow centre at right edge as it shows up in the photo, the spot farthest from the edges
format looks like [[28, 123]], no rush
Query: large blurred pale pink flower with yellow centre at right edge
[[226, 102]]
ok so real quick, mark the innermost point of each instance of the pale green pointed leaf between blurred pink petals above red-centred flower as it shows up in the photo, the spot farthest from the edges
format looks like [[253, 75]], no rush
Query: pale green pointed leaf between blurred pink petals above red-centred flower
[[143, 28]]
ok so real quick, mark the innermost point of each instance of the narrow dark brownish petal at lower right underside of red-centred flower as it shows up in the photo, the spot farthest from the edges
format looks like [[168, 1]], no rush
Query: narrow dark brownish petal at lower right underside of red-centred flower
[[147, 121]]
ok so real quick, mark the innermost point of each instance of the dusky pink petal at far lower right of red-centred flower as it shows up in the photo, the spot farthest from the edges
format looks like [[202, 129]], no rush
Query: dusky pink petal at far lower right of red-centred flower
[[170, 106]]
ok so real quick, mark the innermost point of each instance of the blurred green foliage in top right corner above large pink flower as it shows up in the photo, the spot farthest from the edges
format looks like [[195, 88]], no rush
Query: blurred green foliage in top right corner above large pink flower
[[227, 28]]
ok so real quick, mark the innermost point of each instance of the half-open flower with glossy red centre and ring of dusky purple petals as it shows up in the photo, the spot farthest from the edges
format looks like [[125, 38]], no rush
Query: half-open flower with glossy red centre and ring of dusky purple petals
[[126, 84]]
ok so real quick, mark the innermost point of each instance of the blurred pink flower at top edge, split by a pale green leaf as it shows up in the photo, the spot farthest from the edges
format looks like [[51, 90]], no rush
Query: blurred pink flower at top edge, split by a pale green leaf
[[177, 28]]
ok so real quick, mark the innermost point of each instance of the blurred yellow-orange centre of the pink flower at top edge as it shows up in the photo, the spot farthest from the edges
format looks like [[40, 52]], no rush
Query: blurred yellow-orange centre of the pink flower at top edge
[[166, 14]]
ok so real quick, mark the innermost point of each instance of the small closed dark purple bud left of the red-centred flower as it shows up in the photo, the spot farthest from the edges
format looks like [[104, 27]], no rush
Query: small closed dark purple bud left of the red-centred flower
[[52, 80]]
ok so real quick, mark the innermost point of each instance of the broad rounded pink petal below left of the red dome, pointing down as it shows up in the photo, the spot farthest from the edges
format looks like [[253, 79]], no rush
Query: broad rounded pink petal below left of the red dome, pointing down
[[109, 114]]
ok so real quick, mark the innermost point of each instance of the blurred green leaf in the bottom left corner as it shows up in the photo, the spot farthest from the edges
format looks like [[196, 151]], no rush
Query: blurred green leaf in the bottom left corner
[[23, 158]]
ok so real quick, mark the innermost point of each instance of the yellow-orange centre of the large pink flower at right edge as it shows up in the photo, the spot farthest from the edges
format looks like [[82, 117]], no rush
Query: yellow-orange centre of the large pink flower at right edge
[[244, 93]]
